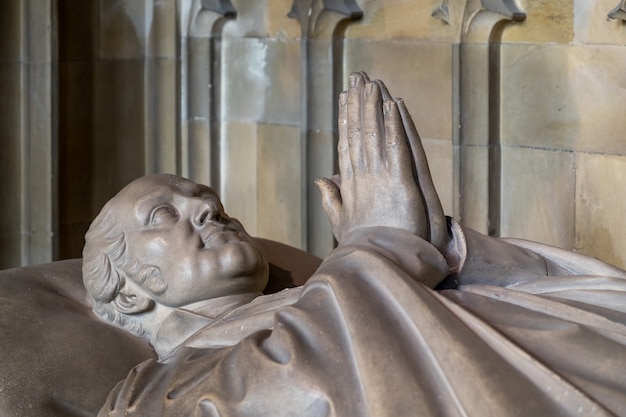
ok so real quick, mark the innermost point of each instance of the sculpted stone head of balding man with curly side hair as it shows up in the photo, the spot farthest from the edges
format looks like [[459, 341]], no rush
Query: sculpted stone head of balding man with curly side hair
[[165, 242]]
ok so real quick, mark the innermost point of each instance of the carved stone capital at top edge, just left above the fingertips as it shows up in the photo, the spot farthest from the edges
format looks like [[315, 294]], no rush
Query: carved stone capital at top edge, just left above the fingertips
[[308, 12]]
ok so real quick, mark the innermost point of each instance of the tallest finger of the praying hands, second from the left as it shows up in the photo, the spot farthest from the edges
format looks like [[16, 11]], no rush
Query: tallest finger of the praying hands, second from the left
[[354, 119]]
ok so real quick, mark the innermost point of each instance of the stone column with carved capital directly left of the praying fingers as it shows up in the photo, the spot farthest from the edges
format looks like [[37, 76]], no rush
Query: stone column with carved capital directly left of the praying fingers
[[322, 25]]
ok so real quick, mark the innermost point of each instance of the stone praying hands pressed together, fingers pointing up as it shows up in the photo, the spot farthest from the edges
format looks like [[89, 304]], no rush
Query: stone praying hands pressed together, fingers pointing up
[[383, 175]]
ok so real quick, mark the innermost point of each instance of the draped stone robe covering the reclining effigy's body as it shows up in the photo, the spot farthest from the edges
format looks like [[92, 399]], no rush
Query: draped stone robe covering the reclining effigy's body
[[383, 329]]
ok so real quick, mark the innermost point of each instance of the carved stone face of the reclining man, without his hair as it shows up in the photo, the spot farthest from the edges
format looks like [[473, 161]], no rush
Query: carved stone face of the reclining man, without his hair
[[181, 228]]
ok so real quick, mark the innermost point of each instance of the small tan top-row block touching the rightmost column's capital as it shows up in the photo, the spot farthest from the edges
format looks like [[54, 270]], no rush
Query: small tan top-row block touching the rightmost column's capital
[[547, 21]]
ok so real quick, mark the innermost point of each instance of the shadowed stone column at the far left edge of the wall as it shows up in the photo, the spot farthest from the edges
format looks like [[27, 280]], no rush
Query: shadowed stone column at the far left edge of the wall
[[28, 158]]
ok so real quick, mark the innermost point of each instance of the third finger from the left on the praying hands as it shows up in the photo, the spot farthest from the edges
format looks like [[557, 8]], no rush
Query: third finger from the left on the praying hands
[[373, 127]]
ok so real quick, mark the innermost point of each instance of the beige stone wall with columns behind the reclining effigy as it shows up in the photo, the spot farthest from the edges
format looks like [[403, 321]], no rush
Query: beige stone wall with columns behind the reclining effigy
[[519, 104]]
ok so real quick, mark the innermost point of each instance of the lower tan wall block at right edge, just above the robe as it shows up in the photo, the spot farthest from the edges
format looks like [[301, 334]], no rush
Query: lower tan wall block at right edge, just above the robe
[[600, 207]]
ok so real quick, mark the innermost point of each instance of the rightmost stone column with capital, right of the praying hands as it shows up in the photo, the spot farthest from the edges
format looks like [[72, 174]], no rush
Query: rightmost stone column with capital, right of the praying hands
[[478, 163]]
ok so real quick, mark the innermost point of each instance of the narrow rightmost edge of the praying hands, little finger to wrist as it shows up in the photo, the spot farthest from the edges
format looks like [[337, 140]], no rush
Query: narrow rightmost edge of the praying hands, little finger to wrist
[[438, 229]]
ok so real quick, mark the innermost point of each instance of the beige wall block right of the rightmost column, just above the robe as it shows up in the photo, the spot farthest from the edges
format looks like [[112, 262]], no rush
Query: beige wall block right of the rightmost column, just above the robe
[[538, 187]]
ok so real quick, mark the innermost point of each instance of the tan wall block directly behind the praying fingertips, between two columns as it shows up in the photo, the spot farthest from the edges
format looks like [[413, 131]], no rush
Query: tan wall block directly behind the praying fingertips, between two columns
[[420, 72]]
